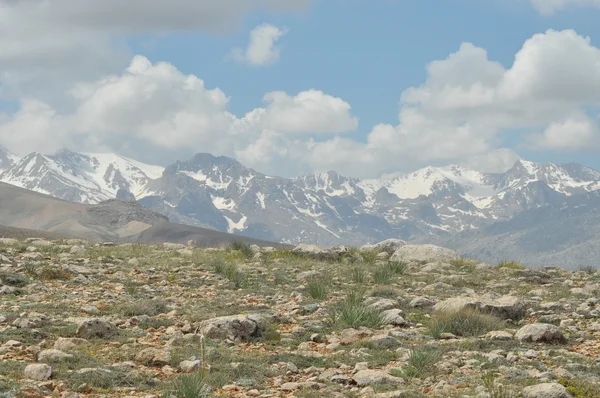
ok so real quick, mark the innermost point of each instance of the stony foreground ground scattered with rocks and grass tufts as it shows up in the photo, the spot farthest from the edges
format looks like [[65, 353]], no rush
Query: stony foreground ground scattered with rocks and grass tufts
[[386, 320]]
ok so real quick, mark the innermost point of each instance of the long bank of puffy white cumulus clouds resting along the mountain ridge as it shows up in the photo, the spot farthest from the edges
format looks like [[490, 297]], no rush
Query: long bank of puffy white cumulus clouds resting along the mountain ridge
[[462, 113]]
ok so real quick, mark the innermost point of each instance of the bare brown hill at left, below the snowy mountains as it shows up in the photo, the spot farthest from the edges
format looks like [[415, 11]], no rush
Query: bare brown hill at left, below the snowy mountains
[[110, 220]]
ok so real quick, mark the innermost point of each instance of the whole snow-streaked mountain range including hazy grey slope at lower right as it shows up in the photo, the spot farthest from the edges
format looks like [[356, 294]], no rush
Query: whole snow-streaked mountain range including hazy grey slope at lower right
[[538, 214]]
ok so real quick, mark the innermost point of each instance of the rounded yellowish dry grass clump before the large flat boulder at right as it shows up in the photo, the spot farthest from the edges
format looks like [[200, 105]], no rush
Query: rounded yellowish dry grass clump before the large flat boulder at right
[[464, 323]]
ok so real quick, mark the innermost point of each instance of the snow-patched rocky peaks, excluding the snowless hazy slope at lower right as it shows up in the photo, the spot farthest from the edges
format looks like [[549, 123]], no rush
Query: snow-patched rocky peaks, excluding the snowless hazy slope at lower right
[[323, 208]]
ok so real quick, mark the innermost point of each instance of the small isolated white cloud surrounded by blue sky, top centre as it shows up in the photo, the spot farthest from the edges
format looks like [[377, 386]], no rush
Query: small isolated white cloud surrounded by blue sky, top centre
[[261, 50]]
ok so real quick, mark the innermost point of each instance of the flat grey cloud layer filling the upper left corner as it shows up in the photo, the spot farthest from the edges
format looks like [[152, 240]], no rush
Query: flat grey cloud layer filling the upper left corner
[[47, 43]]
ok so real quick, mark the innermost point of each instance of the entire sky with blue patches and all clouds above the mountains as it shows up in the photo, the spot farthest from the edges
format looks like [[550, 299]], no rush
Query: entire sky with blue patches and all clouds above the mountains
[[365, 88]]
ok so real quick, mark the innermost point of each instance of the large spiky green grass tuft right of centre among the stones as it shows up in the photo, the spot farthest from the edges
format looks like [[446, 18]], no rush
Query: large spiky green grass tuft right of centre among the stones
[[353, 312]]
